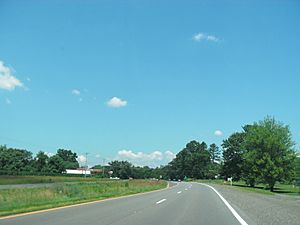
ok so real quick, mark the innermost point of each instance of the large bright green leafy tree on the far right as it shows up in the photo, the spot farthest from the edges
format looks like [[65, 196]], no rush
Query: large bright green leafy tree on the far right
[[269, 151]]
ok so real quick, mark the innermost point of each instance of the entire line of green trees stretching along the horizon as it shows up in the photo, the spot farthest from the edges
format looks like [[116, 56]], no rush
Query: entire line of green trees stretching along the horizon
[[262, 152]]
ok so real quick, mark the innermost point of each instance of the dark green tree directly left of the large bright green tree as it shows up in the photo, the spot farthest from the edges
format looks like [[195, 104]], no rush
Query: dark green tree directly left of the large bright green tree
[[233, 156]]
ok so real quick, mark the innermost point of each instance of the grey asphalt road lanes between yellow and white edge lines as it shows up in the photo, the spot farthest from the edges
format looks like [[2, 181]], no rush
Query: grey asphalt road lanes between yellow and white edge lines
[[183, 204]]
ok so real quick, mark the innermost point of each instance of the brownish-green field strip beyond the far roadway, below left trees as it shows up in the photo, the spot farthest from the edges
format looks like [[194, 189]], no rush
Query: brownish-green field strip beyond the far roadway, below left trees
[[41, 179]]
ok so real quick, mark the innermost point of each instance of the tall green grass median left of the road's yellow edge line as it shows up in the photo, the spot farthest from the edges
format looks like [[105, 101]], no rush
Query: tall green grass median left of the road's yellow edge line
[[14, 201]]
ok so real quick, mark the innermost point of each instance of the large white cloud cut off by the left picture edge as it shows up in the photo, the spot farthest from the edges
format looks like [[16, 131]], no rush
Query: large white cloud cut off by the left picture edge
[[7, 80]]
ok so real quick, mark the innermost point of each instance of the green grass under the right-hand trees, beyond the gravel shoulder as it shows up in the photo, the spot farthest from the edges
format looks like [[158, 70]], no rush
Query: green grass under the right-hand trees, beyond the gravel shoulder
[[260, 188]]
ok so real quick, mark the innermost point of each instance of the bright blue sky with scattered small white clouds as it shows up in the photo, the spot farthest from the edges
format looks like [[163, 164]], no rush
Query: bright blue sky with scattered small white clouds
[[137, 80]]
